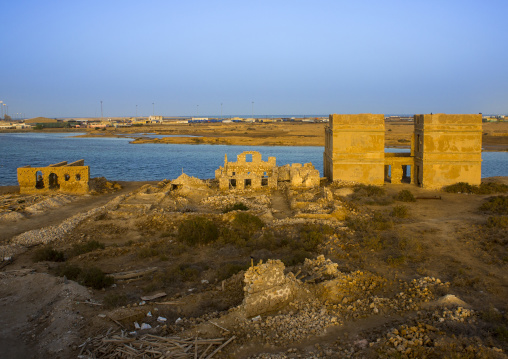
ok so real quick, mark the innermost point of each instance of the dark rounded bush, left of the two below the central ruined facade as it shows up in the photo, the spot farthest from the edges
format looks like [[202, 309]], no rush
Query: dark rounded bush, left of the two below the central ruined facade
[[197, 231]]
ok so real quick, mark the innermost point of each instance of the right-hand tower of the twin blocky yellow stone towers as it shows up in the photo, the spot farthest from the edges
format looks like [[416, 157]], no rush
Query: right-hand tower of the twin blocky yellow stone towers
[[447, 149]]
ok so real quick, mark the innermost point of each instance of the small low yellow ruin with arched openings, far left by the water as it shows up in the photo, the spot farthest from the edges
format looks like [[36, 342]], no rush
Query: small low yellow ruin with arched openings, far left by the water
[[63, 177]]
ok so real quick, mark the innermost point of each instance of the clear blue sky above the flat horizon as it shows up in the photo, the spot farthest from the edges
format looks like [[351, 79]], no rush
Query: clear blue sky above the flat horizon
[[61, 58]]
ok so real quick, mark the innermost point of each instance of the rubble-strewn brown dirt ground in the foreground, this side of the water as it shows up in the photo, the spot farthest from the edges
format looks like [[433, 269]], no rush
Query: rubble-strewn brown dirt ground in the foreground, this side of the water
[[412, 279]]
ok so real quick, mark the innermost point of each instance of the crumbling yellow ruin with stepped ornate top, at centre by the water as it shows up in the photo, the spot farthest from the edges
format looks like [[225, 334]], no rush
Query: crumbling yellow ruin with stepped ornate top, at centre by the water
[[250, 170]]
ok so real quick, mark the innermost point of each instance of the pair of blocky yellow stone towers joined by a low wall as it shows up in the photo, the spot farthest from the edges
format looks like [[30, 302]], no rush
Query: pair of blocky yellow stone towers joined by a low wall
[[445, 149]]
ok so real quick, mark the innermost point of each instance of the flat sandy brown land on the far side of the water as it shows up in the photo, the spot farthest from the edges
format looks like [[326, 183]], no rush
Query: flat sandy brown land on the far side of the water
[[398, 134]]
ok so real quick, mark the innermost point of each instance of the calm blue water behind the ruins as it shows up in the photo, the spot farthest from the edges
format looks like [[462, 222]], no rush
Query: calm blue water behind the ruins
[[117, 159]]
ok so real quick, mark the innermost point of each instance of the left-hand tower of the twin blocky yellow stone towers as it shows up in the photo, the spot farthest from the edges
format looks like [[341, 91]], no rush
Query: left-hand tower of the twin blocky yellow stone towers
[[354, 148]]
